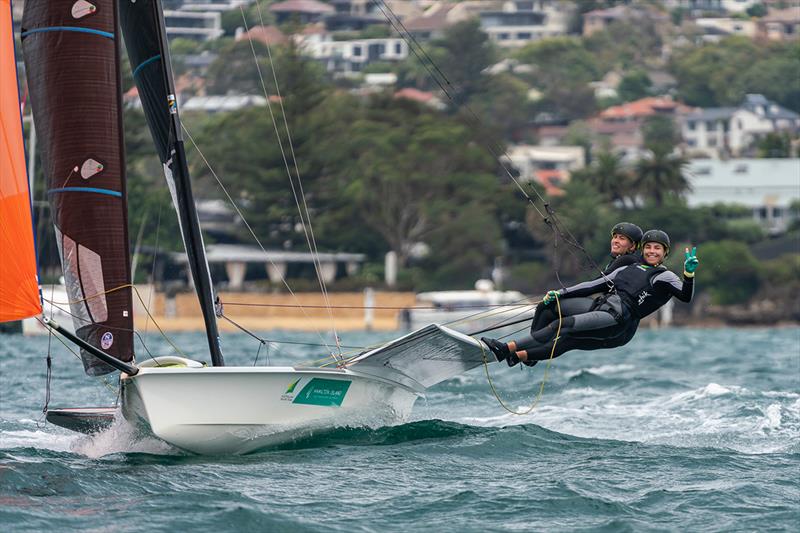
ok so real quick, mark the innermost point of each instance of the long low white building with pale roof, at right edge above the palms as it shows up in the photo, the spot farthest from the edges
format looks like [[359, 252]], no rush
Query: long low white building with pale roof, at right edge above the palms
[[767, 186]]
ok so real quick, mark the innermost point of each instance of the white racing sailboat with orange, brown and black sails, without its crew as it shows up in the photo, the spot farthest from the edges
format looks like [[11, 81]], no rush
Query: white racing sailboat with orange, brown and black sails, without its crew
[[71, 50]]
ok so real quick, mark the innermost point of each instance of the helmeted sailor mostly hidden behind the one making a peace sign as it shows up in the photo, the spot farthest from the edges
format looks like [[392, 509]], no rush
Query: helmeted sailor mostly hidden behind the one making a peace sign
[[625, 240]]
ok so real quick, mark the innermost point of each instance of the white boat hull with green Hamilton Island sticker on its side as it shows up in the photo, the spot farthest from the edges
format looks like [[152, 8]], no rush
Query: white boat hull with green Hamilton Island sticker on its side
[[224, 410]]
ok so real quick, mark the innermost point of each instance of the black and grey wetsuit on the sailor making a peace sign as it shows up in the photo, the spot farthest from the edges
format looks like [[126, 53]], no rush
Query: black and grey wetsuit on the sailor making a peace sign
[[612, 319]]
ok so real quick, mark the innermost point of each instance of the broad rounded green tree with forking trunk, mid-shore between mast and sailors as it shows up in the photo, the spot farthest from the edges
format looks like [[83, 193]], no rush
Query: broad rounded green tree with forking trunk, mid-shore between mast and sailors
[[414, 172]]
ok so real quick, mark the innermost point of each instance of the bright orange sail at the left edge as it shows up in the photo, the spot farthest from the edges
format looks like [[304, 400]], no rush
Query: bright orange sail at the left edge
[[19, 285]]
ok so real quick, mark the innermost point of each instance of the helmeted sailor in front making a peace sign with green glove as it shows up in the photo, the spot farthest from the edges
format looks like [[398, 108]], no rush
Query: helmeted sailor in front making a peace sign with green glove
[[628, 294]]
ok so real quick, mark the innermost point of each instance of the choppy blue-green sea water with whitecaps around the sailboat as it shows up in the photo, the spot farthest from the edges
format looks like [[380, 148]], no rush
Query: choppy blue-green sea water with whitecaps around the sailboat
[[679, 430]]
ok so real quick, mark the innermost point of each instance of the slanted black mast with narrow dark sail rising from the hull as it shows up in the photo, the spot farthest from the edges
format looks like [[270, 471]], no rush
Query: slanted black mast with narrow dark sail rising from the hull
[[146, 39]]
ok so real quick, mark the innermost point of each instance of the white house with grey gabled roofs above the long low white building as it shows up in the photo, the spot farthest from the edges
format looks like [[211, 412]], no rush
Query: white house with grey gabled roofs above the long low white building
[[730, 130]]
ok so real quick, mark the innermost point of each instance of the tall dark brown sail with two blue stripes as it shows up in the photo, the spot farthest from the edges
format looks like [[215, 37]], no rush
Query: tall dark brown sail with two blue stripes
[[71, 58]]
